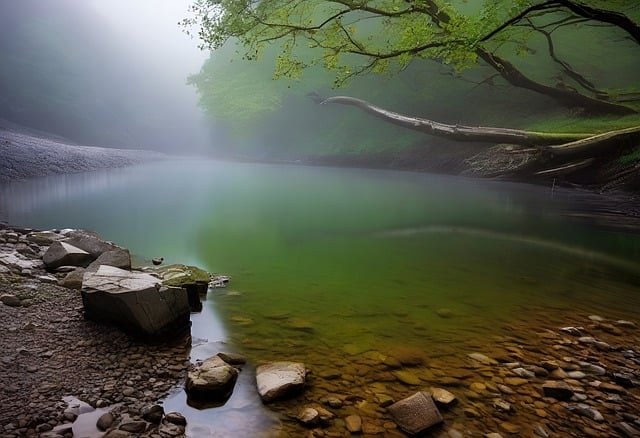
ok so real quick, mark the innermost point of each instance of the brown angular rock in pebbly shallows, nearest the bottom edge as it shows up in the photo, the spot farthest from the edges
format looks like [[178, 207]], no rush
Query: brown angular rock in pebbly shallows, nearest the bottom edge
[[416, 413]]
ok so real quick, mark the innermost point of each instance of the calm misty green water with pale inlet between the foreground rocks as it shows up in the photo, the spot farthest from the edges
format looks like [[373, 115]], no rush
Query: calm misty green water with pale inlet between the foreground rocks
[[330, 263]]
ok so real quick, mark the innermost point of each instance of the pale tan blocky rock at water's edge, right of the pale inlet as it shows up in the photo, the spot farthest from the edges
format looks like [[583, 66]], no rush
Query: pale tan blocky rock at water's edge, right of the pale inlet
[[279, 379]]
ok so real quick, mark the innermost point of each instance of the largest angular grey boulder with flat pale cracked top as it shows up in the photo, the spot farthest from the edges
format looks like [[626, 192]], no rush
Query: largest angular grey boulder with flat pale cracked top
[[136, 302]]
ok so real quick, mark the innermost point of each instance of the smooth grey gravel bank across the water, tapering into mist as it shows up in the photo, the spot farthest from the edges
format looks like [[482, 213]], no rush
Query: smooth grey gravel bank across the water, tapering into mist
[[25, 155]]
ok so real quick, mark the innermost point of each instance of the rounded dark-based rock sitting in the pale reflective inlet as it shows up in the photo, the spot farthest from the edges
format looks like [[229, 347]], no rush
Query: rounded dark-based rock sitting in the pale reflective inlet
[[212, 380]]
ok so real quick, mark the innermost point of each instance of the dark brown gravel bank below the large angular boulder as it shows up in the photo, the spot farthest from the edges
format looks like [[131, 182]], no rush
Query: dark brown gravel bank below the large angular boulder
[[50, 351]]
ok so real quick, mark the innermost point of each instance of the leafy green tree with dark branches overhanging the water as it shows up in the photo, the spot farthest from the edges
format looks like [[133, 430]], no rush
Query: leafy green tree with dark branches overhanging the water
[[360, 37]]
